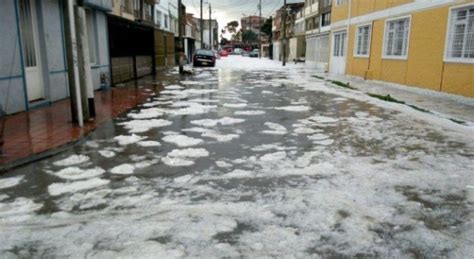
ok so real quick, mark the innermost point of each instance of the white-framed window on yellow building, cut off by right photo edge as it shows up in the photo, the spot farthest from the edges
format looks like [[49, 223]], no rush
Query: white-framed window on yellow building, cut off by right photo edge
[[460, 41]]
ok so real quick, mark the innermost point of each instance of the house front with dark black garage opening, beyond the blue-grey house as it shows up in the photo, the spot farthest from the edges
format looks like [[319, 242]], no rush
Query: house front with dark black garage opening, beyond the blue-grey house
[[142, 39]]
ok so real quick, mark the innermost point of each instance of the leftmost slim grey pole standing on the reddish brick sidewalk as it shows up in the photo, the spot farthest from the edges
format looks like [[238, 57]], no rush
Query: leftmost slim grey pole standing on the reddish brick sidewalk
[[72, 60]]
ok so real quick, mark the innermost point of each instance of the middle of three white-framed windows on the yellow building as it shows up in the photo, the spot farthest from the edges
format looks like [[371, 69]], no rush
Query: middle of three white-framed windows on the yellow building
[[396, 38]]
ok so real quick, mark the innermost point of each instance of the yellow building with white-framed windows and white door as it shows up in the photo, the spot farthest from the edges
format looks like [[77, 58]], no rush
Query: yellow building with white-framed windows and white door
[[428, 44]]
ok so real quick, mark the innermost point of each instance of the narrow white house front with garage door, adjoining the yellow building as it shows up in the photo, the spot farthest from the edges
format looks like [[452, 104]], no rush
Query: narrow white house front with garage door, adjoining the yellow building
[[317, 15]]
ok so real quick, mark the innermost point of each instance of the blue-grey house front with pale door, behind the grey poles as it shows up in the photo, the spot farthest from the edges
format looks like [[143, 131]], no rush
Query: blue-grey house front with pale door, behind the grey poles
[[33, 67]]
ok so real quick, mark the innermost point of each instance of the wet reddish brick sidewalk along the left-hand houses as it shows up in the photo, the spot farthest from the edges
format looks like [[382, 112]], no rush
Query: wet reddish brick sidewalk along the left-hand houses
[[30, 136]]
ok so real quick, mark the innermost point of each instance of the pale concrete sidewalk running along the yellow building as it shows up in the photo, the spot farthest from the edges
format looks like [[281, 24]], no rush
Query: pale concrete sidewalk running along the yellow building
[[440, 103]]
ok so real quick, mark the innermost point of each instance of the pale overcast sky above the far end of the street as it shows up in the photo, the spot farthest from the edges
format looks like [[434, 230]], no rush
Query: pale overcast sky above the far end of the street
[[230, 10]]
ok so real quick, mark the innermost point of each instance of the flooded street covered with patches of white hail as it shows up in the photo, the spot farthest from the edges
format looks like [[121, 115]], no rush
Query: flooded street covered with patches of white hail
[[250, 159]]
